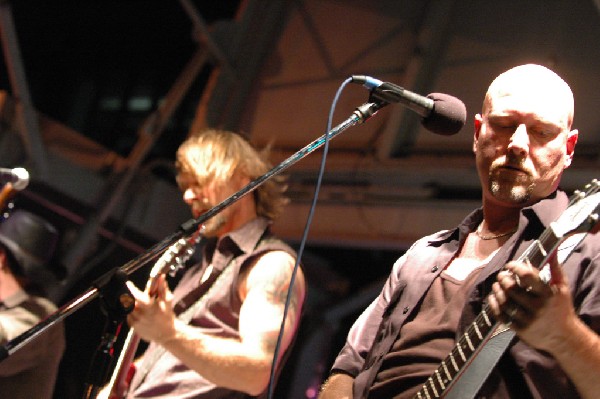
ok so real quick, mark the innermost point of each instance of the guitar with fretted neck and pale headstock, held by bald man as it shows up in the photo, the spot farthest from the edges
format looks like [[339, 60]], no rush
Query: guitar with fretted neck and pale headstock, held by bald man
[[580, 217]]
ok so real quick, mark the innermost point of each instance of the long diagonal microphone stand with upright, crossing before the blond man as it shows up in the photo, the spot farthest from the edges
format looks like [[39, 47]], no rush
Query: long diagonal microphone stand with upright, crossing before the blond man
[[111, 286]]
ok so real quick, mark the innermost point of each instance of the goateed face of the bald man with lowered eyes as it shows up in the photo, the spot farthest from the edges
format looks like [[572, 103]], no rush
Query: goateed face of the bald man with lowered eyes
[[522, 145]]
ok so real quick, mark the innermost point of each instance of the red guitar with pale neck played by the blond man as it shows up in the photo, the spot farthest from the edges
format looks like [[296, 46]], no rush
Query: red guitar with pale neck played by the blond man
[[171, 261]]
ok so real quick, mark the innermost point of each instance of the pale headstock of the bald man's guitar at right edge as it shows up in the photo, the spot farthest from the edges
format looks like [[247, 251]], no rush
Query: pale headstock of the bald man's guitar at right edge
[[582, 213]]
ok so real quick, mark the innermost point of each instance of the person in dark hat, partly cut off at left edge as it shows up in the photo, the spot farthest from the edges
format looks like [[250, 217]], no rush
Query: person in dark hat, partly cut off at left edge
[[27, 244]]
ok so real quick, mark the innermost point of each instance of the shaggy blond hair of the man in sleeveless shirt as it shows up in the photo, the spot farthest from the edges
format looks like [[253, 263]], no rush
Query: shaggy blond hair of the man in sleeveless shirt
[[214, 156]]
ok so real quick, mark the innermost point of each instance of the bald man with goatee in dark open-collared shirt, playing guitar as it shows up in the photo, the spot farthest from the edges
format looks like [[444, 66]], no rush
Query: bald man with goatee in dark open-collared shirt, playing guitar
[[523, 141]]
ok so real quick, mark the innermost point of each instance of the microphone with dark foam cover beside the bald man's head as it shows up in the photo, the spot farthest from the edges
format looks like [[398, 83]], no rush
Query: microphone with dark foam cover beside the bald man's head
[[441, 113]]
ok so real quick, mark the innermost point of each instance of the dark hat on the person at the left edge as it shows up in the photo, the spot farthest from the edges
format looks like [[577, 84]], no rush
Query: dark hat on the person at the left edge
[[31, 240]]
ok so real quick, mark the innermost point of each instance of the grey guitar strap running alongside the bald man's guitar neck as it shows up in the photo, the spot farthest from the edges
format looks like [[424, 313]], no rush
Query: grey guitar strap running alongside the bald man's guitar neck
[[470, 381]]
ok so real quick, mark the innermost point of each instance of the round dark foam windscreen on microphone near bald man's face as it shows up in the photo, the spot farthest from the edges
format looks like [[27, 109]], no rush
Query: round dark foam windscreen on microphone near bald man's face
[[448, 115]]
